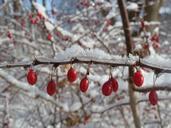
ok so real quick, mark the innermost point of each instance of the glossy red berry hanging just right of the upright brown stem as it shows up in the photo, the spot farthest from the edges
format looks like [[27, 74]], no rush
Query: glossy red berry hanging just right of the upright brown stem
[[138, 78]]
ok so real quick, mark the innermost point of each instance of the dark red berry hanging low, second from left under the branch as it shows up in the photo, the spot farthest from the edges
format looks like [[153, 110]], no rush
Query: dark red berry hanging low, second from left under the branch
[[51, 87]]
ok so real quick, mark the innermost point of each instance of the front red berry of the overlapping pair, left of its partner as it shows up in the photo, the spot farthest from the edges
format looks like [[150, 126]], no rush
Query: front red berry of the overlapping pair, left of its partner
[[107, 88]]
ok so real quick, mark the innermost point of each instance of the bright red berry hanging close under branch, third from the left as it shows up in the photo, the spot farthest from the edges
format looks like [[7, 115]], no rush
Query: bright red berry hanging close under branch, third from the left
[[72, 75]]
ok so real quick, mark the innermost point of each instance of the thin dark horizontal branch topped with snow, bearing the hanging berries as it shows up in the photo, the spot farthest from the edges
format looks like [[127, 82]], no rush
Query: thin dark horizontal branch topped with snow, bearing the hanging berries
[[89, 60]]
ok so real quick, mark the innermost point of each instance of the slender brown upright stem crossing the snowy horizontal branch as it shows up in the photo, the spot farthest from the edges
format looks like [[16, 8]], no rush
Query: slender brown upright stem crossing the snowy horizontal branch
[[128, 41]]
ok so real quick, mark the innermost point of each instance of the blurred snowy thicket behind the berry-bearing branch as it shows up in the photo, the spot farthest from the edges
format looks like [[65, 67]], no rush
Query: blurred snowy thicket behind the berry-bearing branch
[[90, 31]]
